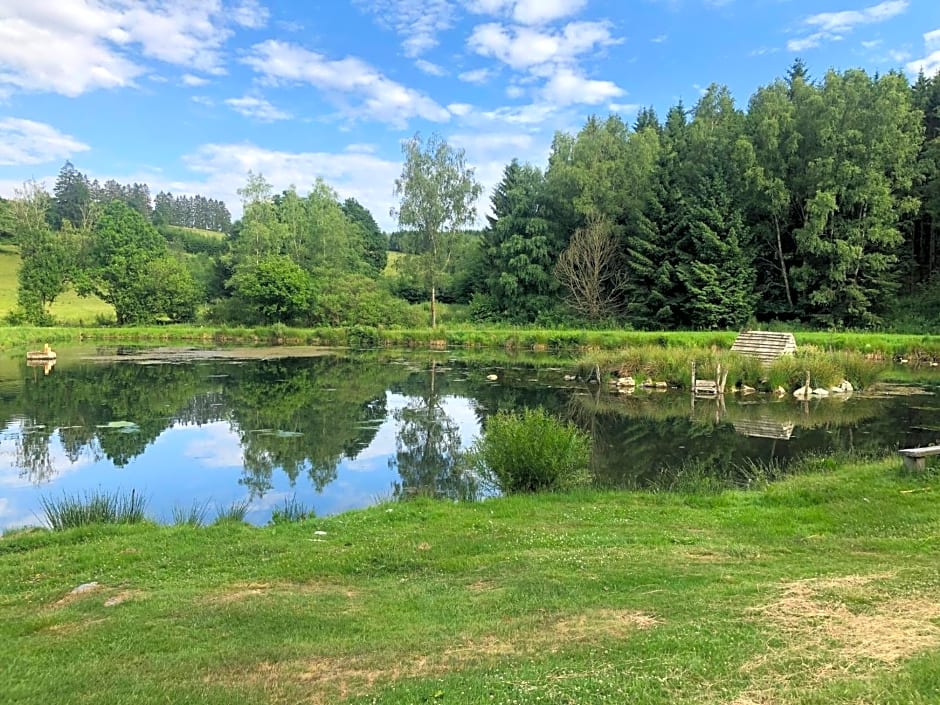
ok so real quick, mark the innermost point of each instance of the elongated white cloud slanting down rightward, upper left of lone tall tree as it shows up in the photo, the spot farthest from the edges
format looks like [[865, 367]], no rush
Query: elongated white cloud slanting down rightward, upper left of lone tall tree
[[358, 88]]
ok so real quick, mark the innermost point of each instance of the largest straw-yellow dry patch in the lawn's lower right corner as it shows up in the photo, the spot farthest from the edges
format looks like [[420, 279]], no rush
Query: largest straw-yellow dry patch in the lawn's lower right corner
[[845, 627]]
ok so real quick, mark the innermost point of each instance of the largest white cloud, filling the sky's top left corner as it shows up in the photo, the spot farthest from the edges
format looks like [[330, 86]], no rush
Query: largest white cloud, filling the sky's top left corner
[[81, 45]]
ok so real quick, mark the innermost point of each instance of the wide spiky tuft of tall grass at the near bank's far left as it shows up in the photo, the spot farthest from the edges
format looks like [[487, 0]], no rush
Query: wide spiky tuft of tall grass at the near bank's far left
[[95, 507]]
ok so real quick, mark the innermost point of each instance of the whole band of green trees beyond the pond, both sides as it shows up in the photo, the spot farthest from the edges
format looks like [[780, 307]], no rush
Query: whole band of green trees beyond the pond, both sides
[[819, 204]]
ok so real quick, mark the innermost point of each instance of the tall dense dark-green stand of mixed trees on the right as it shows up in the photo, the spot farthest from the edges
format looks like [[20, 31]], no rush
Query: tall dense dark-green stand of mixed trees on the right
[[818, 203]]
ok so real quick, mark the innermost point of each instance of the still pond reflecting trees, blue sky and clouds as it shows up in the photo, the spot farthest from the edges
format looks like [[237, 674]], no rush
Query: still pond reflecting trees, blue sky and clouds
[[339, 430]]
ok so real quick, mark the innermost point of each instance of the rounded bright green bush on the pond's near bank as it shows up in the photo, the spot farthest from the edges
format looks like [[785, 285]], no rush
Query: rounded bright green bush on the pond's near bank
[[532, 452]]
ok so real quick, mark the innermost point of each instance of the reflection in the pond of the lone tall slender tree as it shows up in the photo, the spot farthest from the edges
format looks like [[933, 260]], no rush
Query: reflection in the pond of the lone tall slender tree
[[428, 457]]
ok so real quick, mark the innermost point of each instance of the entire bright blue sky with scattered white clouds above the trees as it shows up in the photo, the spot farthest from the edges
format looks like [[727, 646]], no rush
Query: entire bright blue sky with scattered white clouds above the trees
[[188, 95]]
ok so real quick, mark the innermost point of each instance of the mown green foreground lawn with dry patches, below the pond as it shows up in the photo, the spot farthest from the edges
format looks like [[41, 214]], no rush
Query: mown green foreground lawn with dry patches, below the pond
[[822, 588]]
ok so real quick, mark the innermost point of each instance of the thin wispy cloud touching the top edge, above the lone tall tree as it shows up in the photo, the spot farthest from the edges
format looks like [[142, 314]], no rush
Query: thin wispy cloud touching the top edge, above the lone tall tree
[[418, 21]]
